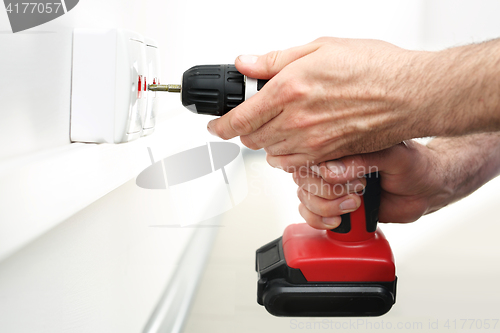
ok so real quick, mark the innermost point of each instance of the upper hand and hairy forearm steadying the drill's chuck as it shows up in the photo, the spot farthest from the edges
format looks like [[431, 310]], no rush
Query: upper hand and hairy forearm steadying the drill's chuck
[[339, 97]]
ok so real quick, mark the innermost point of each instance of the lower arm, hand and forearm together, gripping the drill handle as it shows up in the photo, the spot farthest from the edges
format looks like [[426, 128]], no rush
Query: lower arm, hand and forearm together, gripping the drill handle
[[416, 180]]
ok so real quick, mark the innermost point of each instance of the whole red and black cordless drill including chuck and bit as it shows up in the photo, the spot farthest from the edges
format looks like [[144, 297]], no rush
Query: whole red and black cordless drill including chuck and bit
[[346, 271]]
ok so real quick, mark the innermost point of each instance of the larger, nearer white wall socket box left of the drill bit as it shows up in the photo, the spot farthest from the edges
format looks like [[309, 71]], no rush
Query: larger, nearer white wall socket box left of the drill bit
[[109, 86]]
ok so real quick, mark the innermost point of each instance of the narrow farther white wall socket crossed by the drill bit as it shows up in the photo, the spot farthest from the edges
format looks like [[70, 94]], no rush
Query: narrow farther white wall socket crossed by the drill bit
[[153, 63]]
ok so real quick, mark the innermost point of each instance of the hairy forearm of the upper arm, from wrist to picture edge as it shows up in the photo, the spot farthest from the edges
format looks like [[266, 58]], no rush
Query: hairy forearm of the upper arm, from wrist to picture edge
[[458, 91]]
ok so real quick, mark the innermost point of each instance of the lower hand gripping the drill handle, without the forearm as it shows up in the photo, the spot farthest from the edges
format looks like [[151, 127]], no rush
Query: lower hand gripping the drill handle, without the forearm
[[410, 179]]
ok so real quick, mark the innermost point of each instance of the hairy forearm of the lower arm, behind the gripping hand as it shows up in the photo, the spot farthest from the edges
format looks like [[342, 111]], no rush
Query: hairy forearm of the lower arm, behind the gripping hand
[[465, 164]]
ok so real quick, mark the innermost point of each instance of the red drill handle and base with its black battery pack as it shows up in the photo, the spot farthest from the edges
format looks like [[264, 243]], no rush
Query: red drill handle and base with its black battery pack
[[345, 272]]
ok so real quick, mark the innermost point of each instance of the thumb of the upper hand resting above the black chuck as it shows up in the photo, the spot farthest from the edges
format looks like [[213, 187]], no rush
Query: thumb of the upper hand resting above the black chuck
[[268, 65]]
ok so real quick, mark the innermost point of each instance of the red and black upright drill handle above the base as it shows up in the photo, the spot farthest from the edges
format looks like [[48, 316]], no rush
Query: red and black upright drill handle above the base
[[361, 224]]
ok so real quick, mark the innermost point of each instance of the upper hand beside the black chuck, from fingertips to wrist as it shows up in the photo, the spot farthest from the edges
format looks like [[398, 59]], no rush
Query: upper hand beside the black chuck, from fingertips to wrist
[[326, 99]]
